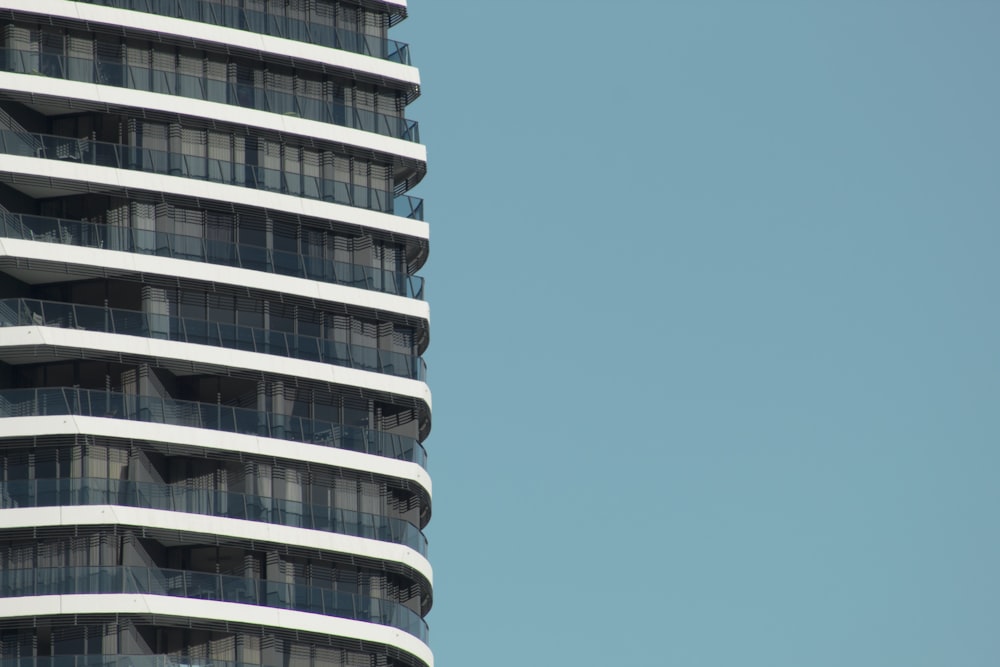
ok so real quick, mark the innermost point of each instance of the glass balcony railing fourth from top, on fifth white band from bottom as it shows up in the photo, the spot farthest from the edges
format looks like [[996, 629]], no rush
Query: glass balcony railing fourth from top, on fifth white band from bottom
[[198, 249]]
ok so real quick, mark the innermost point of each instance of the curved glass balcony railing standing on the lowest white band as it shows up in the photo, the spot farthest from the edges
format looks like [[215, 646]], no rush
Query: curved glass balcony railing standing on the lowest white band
[[208, 586]]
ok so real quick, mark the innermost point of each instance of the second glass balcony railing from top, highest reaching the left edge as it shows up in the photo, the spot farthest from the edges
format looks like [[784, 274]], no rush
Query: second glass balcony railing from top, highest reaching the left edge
[[172, 82]]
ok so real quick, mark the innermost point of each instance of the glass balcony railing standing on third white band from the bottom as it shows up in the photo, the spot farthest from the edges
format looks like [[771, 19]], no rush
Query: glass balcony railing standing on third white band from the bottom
[[212, 416]]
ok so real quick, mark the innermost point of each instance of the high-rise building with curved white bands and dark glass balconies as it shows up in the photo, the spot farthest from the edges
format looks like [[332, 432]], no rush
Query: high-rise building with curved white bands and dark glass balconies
[[212, 397]]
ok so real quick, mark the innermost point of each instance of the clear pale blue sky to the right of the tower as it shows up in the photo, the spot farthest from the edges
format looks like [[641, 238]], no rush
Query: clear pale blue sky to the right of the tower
[[715, 331]]
